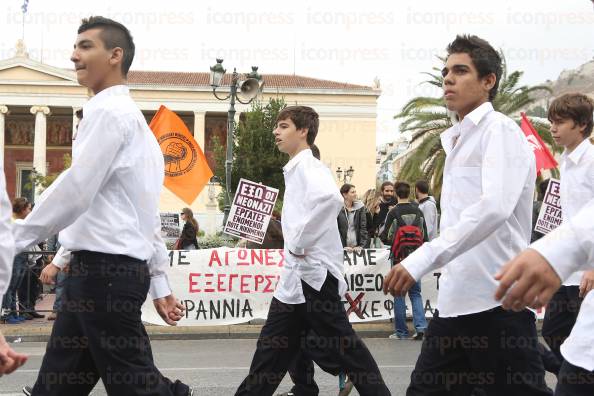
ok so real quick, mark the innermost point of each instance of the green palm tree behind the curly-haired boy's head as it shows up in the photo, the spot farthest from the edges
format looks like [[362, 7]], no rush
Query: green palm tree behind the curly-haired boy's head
[[427, 117]]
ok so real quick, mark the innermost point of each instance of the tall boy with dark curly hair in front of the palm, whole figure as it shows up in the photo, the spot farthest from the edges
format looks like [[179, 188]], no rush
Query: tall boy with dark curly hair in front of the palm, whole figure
[[486, 201]]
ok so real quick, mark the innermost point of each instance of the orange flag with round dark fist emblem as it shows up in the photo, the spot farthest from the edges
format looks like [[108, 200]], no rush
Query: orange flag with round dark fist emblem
[[186, 169]]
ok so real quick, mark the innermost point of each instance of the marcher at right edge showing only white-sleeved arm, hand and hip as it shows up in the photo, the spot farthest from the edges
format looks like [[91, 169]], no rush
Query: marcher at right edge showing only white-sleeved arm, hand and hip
[[536, 274]]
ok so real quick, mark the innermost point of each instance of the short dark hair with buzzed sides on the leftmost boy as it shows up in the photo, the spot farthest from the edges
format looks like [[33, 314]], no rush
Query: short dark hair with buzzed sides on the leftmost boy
[[113, 34]]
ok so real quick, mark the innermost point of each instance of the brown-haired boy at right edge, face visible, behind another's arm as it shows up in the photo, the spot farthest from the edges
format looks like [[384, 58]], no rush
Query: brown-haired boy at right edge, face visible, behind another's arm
[[571, 125]]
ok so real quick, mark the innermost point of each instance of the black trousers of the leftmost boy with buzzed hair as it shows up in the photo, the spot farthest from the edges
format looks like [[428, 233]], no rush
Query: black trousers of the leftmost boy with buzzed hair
[[98, 333]]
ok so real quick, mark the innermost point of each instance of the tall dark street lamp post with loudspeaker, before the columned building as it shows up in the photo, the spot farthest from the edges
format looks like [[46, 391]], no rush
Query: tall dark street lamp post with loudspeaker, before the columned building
[[248, 89]]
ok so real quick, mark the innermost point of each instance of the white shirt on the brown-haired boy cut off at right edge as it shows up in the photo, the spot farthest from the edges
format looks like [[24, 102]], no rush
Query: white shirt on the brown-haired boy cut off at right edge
[[577, 187]]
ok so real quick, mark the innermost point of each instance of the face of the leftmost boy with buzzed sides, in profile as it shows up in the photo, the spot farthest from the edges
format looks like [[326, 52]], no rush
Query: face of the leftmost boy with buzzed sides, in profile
[[93, 63]]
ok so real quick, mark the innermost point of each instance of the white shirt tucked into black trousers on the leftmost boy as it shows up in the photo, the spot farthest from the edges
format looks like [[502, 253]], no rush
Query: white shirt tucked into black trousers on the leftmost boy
[[108, 200]]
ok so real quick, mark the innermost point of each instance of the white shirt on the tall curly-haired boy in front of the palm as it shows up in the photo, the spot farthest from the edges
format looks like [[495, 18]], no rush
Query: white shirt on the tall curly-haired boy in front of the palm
[[486, 201]]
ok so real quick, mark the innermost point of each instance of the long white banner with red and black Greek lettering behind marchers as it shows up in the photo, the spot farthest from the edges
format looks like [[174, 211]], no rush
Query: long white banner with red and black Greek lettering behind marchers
[[233, 285]]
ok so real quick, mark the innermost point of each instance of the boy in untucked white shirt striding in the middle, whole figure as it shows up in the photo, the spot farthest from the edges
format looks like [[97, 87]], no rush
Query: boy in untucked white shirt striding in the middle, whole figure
[[308, 294]]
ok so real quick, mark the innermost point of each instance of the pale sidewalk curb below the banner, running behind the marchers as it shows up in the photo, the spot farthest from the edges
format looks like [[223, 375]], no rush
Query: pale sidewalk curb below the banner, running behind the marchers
[[245, 331]]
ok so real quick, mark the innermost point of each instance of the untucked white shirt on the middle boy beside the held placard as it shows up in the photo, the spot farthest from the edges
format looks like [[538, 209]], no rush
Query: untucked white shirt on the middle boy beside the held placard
[[310, 206]]
